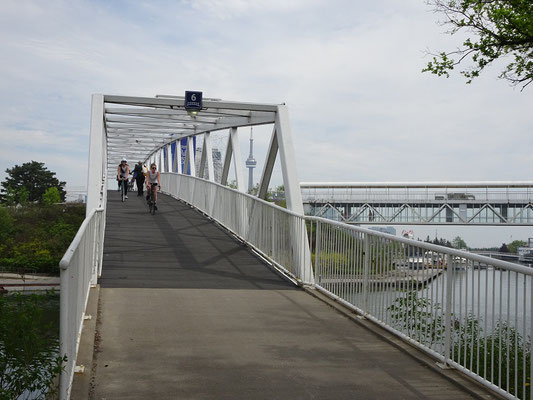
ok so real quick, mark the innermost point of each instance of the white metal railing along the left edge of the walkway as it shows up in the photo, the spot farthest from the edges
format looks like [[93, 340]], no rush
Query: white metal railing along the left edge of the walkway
[[79, 267]]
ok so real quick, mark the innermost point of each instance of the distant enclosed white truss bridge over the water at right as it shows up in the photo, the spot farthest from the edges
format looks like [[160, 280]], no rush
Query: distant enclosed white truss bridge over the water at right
[[421, 203]]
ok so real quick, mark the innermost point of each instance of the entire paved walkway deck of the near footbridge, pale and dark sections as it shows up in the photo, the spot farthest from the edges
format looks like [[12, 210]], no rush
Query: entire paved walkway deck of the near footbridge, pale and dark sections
[[187, 312]]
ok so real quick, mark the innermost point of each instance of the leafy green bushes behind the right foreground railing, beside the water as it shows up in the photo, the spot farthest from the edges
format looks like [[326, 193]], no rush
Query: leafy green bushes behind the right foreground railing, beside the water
[[472, 348]]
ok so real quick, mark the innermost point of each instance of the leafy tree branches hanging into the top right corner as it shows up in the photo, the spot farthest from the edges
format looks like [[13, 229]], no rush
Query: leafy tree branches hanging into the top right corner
[[502, 28]]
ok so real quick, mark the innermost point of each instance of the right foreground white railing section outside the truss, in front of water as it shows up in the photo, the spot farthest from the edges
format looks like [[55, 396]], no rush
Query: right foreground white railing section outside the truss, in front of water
[[470, 312]]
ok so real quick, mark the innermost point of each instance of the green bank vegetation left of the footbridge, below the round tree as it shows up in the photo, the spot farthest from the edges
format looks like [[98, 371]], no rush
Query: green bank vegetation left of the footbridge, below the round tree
[[33, 239]]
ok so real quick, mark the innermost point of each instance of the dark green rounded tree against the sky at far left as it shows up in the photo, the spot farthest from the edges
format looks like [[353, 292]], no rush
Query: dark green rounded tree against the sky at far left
[[29, 182]]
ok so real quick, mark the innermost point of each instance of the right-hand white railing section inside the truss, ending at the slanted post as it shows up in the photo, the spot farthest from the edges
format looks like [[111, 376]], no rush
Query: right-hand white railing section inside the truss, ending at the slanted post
[[276, 233]]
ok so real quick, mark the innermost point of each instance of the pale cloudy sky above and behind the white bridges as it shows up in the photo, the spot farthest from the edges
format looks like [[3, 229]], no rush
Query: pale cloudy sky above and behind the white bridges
[[349, 71]]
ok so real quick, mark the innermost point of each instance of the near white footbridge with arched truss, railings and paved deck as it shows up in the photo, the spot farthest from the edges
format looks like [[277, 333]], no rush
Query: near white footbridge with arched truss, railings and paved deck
[[218, 294]]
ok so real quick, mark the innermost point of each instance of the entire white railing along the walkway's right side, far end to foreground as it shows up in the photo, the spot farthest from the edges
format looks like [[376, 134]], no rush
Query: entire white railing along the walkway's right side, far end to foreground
[[468, 311]]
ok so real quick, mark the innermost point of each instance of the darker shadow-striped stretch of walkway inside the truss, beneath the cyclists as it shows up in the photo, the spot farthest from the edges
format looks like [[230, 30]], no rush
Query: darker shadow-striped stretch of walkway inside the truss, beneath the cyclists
[[176, 248]]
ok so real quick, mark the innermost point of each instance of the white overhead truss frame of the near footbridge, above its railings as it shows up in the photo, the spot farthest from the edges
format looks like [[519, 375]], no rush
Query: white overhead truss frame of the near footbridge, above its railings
[[143, 128]]
